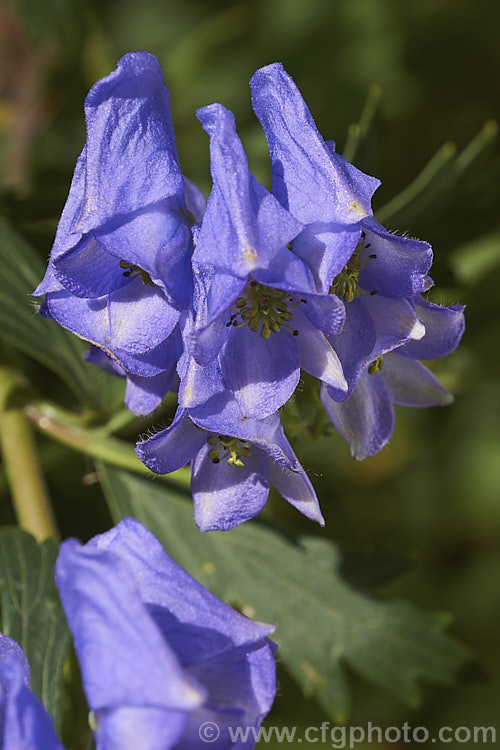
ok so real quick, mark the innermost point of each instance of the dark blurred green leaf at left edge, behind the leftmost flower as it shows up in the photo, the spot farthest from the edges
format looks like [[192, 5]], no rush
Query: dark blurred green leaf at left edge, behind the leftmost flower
[[43, 339]]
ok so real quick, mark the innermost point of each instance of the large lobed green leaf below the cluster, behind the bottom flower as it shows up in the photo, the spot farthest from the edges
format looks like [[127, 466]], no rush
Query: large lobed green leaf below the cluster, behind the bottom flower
[[324, 625]]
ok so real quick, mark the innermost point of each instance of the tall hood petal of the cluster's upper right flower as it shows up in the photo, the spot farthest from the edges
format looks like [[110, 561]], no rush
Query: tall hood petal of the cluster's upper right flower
[[310, 181]]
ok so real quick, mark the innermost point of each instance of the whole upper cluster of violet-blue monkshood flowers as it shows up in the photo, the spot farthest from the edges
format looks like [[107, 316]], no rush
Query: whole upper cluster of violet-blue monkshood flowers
[[225, 302]]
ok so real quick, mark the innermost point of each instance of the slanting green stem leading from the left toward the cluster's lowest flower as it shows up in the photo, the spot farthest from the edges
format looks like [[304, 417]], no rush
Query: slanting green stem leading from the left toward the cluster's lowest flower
[[54, 422]]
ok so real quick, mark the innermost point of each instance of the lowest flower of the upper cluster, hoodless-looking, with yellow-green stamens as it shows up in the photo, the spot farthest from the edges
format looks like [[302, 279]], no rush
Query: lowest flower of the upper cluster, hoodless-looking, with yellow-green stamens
[[233, 463]]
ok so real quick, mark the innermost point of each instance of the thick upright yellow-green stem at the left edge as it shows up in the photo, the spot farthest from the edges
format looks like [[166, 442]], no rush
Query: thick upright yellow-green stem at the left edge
[[29, 495]]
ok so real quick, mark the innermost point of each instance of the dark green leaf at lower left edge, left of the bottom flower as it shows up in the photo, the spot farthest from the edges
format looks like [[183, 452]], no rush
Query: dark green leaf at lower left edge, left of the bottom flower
[[31, 613]]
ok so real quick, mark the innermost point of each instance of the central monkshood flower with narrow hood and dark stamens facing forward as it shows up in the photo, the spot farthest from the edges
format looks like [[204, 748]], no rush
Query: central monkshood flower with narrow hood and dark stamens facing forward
[[260, 313]]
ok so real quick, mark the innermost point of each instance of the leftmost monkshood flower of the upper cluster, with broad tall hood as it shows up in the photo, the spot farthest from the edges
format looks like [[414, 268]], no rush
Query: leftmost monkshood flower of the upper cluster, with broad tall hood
[[119, 272]]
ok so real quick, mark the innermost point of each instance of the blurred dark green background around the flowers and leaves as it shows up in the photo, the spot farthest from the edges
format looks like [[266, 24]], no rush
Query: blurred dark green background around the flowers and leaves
[[429, 504]]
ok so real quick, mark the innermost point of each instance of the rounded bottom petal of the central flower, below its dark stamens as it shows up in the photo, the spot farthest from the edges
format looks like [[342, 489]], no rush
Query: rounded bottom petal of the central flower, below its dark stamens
[[261, 373]]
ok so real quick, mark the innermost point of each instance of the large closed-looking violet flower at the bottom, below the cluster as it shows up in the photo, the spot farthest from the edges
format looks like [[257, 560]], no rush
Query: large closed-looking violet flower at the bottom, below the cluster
[[159, 654]]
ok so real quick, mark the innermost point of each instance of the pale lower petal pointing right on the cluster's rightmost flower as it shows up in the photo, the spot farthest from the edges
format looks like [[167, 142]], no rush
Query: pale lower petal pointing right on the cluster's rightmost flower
[[410, 383]]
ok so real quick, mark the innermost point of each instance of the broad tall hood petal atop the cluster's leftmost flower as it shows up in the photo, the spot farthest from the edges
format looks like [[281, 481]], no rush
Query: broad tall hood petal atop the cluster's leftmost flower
[[131, 153]]
